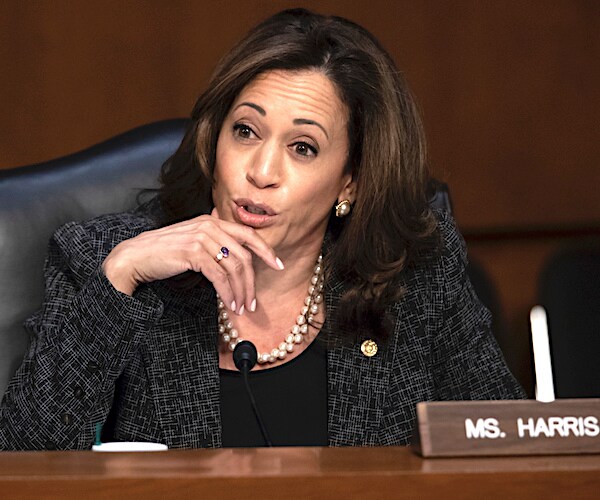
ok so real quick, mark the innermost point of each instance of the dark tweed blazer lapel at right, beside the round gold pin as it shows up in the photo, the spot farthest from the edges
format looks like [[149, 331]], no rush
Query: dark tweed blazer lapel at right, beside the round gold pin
[[357, 383]]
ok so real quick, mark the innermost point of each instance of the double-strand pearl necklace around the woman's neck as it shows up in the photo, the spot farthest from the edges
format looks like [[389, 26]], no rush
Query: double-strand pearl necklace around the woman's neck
[[296, 334]]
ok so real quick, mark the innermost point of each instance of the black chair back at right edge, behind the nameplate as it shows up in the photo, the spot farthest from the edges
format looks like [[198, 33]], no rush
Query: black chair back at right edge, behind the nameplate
[[569, 290]]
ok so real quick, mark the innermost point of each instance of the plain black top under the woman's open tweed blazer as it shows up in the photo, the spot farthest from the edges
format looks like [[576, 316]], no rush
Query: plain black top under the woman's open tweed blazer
[[291, 398]]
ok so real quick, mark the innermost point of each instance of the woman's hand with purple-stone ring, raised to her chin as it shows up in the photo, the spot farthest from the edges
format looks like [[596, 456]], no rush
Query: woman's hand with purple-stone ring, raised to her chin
[[192, 245]]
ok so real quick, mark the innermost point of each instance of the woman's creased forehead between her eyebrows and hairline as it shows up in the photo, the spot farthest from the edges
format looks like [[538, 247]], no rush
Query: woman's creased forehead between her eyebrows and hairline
[[305, 94]]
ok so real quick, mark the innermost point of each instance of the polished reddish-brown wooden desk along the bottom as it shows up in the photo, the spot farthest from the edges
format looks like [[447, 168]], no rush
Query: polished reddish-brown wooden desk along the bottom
[[365, 473]]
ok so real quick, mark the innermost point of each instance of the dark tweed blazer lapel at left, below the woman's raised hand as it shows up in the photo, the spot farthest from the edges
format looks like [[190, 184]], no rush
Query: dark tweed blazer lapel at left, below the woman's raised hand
[[183, 371]]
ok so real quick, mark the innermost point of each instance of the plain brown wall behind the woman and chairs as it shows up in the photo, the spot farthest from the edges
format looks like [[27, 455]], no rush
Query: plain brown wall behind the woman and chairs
[[508, 91]]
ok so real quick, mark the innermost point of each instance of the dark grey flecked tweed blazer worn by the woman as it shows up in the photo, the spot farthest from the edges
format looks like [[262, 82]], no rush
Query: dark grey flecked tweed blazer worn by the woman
[[147, 365]]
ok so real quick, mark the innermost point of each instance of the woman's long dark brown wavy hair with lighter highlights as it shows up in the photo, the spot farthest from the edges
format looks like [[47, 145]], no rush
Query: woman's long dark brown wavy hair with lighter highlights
[[391, 225]]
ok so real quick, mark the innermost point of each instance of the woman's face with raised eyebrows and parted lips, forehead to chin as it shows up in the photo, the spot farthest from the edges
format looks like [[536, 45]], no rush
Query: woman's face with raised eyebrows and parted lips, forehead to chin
[[280, 160]]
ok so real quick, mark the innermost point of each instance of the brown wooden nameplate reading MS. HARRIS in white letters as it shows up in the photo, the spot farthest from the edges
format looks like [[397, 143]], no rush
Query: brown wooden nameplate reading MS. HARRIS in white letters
[[474, 428]]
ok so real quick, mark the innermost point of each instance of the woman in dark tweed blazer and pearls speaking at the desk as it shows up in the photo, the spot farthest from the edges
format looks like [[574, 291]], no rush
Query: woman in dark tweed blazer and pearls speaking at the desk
[[293, 215]]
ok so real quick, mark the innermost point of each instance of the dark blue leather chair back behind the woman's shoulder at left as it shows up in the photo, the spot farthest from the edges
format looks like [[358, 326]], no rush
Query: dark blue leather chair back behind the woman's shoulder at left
[[36, 200]]
